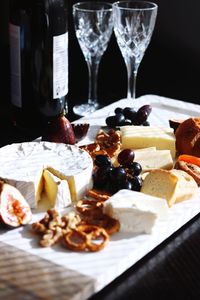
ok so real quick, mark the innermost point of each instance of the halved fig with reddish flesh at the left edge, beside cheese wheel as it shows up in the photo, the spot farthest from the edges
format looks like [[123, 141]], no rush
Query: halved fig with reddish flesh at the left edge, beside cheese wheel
[[14, 209]]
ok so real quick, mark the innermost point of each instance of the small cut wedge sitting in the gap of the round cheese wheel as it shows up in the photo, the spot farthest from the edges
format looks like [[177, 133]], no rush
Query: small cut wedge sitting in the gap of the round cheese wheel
[[56, 190]]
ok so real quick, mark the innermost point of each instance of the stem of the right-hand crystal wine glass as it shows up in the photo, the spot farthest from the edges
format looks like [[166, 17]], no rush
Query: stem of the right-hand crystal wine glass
[[132, 75]]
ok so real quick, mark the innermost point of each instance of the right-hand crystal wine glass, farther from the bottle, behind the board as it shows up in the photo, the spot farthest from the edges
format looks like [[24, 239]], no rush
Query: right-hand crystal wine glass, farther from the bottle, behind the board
[[134, 23]]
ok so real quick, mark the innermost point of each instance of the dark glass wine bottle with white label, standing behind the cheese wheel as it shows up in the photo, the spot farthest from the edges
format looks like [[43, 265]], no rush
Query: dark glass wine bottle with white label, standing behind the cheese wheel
[[43, 60]]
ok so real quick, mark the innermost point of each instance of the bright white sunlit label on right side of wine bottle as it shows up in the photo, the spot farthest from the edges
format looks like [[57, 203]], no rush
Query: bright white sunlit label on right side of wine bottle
[[60, 66]]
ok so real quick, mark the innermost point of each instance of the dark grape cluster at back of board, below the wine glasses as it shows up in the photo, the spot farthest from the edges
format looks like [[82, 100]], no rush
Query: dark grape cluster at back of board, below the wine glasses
[[129, 116]]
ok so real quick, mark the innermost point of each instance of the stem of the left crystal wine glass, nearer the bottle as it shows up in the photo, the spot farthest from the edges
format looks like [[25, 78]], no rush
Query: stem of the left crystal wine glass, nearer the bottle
[[93, 67]]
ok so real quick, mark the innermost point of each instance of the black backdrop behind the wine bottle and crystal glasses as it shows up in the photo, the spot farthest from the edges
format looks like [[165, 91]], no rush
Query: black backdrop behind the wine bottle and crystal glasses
[[170, 67]]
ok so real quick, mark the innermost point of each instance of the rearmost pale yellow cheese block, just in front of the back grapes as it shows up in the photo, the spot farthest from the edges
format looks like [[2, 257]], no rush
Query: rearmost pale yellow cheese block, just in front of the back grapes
[[137, 137]]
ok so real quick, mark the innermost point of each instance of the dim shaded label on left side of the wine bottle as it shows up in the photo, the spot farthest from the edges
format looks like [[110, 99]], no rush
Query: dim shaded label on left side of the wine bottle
[[15, 65]]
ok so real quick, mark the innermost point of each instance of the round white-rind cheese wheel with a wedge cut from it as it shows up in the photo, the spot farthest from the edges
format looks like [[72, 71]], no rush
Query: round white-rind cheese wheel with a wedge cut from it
[[22, 165]]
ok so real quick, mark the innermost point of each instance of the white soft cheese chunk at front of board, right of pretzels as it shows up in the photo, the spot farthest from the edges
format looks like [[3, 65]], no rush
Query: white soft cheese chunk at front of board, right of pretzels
[[136, 213]]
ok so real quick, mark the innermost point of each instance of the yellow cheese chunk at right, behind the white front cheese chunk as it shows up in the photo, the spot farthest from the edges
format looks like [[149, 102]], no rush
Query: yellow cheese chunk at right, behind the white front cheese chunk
[[173, 185]]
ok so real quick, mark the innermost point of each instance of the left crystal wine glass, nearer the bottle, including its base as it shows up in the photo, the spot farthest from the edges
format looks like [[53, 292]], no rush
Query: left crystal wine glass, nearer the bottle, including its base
[[93, 23]]
